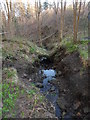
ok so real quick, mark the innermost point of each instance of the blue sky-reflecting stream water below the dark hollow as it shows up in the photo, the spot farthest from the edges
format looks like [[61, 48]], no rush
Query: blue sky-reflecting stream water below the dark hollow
[[50, 91]]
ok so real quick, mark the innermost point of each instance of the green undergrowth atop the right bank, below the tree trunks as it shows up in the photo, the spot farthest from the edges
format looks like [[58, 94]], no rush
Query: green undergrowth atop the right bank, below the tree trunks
[[81, 46]]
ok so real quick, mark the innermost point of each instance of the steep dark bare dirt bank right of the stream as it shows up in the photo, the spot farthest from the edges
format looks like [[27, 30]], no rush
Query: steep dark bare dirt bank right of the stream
[[72, 81]]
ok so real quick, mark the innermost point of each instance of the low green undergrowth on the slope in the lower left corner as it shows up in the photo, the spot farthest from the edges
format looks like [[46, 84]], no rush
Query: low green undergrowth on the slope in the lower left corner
[[12, 91]]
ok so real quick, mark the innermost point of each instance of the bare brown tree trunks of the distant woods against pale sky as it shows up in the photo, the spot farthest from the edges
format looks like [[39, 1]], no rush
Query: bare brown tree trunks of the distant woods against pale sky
[[17, 15]]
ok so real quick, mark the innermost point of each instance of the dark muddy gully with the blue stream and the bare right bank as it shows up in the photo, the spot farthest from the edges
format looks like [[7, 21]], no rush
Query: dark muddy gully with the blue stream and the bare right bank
[[60, 82]]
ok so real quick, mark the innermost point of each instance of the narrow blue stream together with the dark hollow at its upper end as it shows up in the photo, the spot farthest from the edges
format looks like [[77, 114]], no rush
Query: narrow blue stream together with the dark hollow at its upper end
[[49, 90]]
